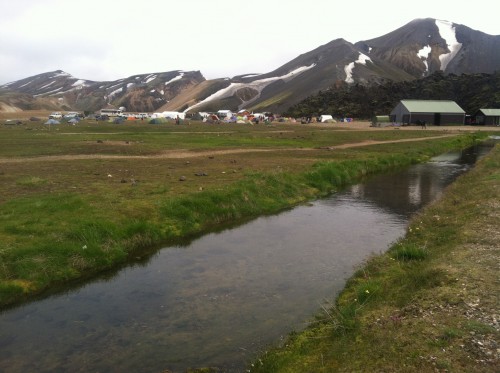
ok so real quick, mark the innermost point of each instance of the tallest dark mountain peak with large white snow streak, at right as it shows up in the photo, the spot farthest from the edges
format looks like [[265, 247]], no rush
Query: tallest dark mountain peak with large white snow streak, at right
[[425, 46]]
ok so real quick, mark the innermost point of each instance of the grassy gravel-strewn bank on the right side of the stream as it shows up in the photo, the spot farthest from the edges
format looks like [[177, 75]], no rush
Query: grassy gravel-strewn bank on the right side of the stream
[[430, 304]]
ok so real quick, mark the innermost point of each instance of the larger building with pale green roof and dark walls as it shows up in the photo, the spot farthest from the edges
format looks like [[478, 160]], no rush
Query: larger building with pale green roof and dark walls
[[435, 112]]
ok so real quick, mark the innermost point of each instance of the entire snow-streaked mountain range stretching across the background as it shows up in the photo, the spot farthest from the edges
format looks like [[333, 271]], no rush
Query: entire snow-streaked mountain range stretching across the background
[[413, 51]]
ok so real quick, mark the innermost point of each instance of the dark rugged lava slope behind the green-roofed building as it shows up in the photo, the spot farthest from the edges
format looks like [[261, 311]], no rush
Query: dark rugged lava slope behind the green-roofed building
[[470, 91]]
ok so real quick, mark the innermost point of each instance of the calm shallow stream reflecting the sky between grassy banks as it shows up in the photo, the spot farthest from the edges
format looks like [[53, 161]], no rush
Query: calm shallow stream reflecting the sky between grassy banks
[[221, 299]]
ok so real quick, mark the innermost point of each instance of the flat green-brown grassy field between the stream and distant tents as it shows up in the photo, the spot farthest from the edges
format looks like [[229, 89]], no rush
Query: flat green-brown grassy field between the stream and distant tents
[[77, 200]]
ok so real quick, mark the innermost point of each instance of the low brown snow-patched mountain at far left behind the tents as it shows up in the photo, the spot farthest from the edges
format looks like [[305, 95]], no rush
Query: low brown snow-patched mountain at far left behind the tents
[[60, 90]]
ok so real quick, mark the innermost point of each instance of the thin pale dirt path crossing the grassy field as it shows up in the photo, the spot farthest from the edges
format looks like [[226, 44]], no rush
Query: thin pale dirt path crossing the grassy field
[[182, 153]]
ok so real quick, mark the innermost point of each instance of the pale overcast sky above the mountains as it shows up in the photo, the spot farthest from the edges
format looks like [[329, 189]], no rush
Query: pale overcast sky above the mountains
[[109, 39]]
